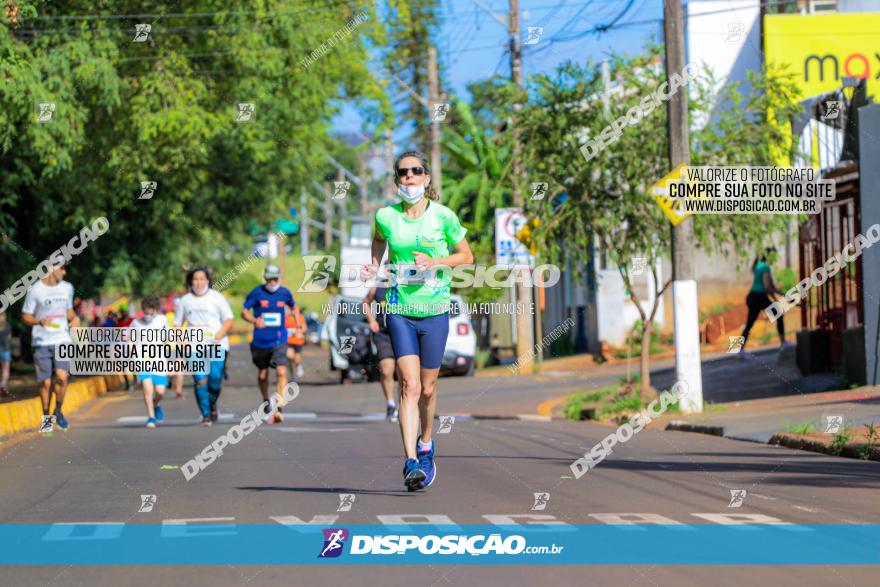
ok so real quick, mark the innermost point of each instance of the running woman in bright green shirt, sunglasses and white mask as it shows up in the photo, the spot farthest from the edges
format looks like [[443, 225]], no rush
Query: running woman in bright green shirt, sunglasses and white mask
[[425, 240]]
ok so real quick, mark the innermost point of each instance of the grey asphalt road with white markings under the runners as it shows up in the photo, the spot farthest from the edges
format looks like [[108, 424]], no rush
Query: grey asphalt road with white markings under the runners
[[334, 442]]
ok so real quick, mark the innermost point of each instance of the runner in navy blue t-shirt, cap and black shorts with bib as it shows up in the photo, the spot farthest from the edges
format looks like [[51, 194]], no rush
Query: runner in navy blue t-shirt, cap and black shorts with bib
[[265, 307]]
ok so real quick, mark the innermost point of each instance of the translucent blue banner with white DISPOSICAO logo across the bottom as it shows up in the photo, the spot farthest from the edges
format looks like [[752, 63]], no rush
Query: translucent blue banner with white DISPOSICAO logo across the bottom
[[215, 544]]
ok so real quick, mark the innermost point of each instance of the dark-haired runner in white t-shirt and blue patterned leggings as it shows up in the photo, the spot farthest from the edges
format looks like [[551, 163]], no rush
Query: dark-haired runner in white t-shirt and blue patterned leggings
[[207, 309]]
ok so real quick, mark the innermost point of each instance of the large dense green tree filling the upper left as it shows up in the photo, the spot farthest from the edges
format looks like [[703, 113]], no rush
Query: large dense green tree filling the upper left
[[165, 110]]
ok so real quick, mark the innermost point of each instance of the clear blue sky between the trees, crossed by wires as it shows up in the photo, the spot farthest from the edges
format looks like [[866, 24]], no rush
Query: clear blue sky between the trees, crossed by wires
[[473, 45]]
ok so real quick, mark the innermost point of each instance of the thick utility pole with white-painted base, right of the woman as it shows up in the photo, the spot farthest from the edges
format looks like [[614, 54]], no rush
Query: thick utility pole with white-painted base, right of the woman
[[688, 368]]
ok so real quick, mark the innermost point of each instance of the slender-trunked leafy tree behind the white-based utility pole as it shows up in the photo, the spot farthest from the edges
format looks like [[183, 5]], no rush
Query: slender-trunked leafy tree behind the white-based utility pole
[[607, 205]]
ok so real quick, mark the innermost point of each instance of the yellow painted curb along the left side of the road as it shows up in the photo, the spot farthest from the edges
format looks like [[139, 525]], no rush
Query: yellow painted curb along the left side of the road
[[26, 414]]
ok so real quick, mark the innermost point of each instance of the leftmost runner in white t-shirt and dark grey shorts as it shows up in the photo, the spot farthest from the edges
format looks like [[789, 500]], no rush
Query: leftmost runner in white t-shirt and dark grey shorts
[[48, 309]]
